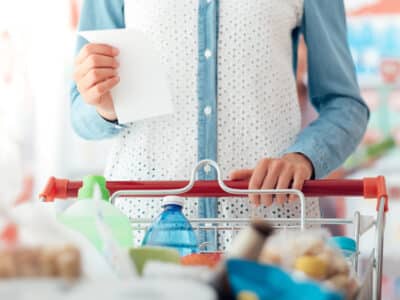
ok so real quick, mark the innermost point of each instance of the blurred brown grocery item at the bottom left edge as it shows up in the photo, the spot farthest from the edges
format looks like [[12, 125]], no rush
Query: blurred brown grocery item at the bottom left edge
[[54, 262]]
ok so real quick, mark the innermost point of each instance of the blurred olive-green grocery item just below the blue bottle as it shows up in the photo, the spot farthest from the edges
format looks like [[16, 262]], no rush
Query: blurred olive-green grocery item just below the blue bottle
[[141, 256]]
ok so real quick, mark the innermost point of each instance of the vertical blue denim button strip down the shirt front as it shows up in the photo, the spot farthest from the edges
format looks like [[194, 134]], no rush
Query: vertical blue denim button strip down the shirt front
[[207, 97]]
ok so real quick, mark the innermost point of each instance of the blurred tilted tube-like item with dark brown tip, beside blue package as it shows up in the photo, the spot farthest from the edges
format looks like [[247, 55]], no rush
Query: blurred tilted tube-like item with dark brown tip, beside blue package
[[247, 245]]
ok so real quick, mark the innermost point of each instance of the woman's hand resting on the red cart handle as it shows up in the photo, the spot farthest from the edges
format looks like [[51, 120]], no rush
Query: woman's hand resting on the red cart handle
[[290, 171]]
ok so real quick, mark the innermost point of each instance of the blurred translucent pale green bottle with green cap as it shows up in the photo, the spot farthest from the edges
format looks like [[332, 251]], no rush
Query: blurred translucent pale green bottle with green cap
[[83, 215]]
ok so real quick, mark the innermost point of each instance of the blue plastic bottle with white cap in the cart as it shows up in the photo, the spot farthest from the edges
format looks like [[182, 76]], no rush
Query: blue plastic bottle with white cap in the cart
[[172, 229]]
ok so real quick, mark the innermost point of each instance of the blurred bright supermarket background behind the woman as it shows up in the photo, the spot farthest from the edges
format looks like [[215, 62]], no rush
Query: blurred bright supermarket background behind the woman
[[37, 40]]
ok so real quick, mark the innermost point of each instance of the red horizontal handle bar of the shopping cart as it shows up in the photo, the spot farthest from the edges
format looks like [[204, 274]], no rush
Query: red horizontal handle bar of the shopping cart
[[368, 188]]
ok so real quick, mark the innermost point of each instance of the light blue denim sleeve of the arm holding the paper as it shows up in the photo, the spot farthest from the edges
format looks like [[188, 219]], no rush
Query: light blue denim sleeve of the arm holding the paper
[[87, 123]]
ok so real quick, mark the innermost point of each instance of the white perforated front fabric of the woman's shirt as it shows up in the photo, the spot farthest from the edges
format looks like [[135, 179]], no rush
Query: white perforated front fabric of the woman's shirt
[[258, 112]]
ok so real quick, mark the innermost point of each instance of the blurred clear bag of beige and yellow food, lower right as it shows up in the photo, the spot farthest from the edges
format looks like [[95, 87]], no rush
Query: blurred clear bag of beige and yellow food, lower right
[[311, 254]]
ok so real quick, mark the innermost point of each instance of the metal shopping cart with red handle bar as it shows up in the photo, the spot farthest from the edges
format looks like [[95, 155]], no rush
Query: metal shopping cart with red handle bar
[[368, 188]]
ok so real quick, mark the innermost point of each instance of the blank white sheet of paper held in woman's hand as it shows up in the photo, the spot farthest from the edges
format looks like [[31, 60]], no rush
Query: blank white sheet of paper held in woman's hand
[[143, 91]]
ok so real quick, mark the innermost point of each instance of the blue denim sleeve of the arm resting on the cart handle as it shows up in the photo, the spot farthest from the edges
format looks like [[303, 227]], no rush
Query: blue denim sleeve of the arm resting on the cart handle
[[333, 89]]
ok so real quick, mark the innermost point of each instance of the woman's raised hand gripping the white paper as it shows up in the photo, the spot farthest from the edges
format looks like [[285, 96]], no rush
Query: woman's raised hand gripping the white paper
[[95, 75]]
